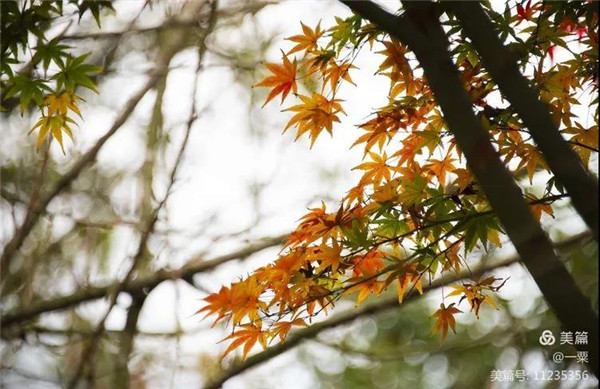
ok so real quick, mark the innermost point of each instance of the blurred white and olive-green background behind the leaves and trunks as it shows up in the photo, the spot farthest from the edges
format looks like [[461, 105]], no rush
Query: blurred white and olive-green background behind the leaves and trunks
[[239, 183]]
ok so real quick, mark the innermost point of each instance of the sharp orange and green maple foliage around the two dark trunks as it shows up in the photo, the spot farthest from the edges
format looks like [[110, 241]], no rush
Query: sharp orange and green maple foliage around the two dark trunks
[[417, 211]]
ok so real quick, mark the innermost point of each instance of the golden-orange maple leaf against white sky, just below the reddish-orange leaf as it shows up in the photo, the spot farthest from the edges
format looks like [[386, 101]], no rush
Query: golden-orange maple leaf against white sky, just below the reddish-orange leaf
[[313, 115]]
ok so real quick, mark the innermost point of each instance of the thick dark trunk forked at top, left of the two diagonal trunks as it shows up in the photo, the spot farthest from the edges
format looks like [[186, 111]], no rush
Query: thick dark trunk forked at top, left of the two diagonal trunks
[[419, 28]]
